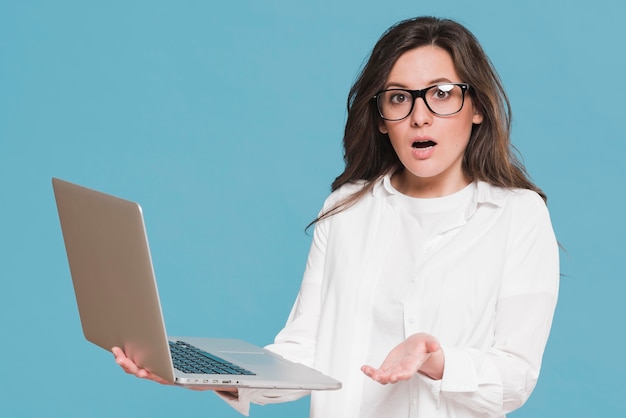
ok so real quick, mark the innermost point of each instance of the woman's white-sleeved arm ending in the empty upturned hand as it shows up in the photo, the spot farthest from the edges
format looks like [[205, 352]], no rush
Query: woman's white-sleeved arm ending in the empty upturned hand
[[499, 376]]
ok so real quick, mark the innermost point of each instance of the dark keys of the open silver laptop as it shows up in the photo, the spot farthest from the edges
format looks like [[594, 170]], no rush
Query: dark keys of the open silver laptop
[[190, 359]]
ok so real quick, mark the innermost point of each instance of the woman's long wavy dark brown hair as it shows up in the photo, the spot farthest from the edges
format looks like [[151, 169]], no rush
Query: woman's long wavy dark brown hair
[[489, 155]]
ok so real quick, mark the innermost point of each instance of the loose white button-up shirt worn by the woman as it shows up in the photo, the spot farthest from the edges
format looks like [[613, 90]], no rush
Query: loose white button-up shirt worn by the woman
[[484, 282]]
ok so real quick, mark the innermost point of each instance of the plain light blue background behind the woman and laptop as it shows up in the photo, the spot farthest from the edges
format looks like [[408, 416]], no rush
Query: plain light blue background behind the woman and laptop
[[225, 120]]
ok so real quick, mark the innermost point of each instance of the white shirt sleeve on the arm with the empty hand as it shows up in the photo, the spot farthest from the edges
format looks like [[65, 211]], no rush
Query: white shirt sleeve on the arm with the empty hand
[[501, 379]]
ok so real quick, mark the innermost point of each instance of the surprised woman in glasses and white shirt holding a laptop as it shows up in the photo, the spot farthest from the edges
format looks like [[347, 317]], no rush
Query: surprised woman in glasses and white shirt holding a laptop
[[433, 273]]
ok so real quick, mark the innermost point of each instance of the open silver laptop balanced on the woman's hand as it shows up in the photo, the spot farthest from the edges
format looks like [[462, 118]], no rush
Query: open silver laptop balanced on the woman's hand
[[118, 302]]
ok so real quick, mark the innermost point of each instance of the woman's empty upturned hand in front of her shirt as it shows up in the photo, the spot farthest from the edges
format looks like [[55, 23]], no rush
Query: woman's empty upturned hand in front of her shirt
[[418, 353]]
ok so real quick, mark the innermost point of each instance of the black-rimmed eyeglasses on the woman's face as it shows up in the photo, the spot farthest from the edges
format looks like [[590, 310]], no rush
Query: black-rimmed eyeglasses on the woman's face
[[441, 99]]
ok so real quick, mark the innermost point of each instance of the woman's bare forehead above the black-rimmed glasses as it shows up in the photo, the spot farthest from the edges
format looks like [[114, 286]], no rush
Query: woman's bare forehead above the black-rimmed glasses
[[421, 67]]
